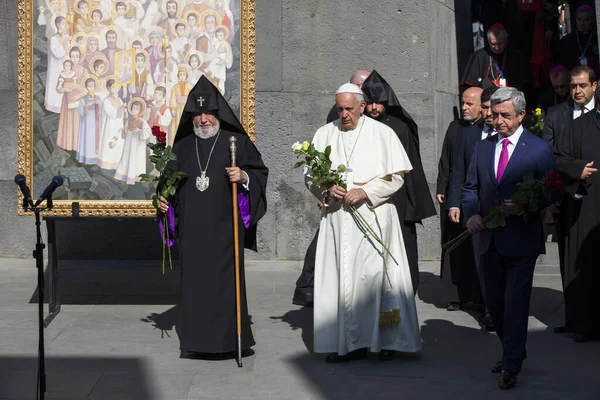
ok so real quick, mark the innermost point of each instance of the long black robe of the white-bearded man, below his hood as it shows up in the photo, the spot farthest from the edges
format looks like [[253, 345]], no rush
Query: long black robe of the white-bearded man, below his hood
[[205, 240]]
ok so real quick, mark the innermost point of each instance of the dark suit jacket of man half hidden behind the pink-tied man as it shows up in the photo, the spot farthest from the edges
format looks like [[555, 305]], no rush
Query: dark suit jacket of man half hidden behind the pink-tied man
[[460, 164]]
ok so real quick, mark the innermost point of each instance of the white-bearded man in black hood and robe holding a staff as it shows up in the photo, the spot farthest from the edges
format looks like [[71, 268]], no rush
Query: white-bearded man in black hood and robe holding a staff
[[204, 222]]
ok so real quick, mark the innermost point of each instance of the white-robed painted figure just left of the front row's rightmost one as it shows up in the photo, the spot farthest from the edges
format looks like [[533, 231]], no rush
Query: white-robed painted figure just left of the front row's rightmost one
[[111, 139]]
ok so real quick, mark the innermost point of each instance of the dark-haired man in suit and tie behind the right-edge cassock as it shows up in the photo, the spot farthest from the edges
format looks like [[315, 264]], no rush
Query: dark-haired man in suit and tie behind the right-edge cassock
[[583, 85]]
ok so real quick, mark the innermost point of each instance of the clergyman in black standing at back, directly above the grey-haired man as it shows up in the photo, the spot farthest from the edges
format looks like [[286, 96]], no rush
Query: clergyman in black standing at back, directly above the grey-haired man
[[497, 63]]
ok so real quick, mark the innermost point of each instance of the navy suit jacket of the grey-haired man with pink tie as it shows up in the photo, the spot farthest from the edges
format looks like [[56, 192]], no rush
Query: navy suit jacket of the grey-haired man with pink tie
[[481, 192]]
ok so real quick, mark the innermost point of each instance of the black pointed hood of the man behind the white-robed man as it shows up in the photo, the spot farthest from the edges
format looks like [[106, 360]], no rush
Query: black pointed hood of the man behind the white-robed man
[[377, 90]]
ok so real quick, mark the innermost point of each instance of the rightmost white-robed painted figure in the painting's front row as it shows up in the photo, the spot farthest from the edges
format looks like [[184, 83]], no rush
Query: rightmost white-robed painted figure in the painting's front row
[[136, 134]]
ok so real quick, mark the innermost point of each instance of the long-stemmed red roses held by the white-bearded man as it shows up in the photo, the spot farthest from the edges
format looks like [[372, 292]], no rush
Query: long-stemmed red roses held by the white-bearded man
[[166, 186]]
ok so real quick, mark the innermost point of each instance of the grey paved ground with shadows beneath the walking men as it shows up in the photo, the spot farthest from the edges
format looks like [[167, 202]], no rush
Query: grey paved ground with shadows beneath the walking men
[[115, 338]]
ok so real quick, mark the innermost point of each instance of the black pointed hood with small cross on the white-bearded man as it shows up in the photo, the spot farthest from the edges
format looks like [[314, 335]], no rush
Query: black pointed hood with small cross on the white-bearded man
[[205, 97]]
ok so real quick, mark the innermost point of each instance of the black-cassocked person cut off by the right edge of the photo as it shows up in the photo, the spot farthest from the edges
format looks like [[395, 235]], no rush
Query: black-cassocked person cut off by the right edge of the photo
[[577, 155]]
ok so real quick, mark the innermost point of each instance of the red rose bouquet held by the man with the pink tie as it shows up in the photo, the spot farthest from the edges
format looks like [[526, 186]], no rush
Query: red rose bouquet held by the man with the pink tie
[[528, 196]]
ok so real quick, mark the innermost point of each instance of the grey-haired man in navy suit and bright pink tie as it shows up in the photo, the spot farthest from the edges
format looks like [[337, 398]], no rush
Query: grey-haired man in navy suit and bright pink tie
[[507, 255]]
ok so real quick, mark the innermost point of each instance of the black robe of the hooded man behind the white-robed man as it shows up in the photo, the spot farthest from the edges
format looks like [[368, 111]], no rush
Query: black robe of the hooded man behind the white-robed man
[[413, 200]]
